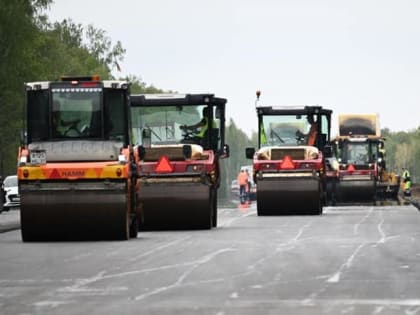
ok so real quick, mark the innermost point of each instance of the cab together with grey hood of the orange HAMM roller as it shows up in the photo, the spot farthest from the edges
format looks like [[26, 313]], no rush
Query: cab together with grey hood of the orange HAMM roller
[[75, 119]]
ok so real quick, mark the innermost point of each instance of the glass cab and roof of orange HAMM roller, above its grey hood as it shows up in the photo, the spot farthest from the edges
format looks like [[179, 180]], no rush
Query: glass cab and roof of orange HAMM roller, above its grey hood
[[74, 108]]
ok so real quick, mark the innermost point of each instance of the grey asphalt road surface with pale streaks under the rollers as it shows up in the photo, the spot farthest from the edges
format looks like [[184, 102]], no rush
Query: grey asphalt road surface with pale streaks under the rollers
[[351, 260]]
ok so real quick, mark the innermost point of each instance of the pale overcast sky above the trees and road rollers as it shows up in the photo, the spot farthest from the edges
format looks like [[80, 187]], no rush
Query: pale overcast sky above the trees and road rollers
[[349, 56]]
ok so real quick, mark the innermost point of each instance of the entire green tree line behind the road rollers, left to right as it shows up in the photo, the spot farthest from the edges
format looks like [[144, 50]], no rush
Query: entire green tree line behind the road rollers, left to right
[[34, 49]]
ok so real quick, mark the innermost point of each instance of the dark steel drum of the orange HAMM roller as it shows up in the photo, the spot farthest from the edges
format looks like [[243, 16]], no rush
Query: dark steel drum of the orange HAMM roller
[[74, 211]]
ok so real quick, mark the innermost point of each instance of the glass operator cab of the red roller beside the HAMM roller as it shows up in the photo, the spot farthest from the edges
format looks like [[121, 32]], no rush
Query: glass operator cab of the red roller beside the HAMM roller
[[173, 119]]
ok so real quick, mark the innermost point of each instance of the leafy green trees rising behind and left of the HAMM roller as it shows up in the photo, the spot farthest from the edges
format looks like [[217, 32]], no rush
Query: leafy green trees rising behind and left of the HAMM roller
[[33, 49]]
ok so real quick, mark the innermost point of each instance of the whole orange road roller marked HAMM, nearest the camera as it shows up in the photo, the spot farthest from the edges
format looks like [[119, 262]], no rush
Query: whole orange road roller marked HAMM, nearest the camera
[[75, 162]]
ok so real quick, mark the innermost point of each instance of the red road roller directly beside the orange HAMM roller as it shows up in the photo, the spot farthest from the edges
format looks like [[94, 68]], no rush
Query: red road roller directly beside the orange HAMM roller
[[179, 167]]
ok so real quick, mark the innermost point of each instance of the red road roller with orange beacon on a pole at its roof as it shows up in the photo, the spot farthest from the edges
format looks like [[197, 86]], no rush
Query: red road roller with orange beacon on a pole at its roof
[[289, 164]]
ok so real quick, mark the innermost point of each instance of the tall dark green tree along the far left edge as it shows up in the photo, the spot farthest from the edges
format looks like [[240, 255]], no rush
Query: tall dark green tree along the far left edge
[[19, 22]]
